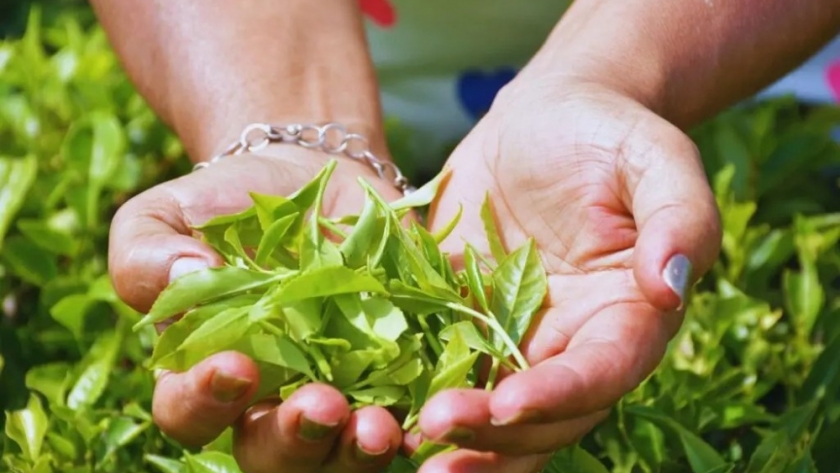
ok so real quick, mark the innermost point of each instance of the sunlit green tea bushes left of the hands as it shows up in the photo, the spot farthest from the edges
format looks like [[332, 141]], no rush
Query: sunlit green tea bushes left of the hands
[[75, 142]]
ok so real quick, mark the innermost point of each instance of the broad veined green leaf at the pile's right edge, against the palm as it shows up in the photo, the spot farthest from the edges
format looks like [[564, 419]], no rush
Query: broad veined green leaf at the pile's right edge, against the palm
[[519, 287]]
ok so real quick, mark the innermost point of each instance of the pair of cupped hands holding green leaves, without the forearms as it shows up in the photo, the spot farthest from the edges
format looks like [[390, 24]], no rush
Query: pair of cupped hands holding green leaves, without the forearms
[[618, 203]]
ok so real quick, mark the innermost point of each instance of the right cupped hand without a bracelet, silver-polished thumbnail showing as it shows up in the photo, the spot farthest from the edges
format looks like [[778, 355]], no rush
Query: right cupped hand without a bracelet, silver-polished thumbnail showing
[[618, 203]]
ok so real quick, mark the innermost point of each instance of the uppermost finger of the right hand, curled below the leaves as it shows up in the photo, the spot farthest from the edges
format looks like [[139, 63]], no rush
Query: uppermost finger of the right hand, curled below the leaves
[[606, 358]]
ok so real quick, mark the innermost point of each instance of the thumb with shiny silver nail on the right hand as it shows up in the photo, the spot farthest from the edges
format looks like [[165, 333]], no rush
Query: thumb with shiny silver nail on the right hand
[[678, 222]]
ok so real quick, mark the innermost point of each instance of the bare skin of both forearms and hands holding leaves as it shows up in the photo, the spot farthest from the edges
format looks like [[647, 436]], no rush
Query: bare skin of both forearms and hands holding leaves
[[583, 151]]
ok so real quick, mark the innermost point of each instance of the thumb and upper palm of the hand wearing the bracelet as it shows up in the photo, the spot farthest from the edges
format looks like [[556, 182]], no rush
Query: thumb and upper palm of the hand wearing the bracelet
[[151, 240]]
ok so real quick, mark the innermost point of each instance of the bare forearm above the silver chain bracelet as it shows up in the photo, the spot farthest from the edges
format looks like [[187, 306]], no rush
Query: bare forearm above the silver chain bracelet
[[211, 68]]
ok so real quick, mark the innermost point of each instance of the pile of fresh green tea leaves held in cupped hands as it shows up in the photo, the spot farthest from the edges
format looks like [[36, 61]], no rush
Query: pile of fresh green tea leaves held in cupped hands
[[367, 303]]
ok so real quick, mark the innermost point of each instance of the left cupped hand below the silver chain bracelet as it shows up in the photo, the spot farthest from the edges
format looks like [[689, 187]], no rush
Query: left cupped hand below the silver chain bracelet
[[152, 243]]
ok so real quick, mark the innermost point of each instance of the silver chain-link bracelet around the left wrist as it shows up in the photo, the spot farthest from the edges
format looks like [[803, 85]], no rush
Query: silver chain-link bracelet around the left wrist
[[331, 138]]
